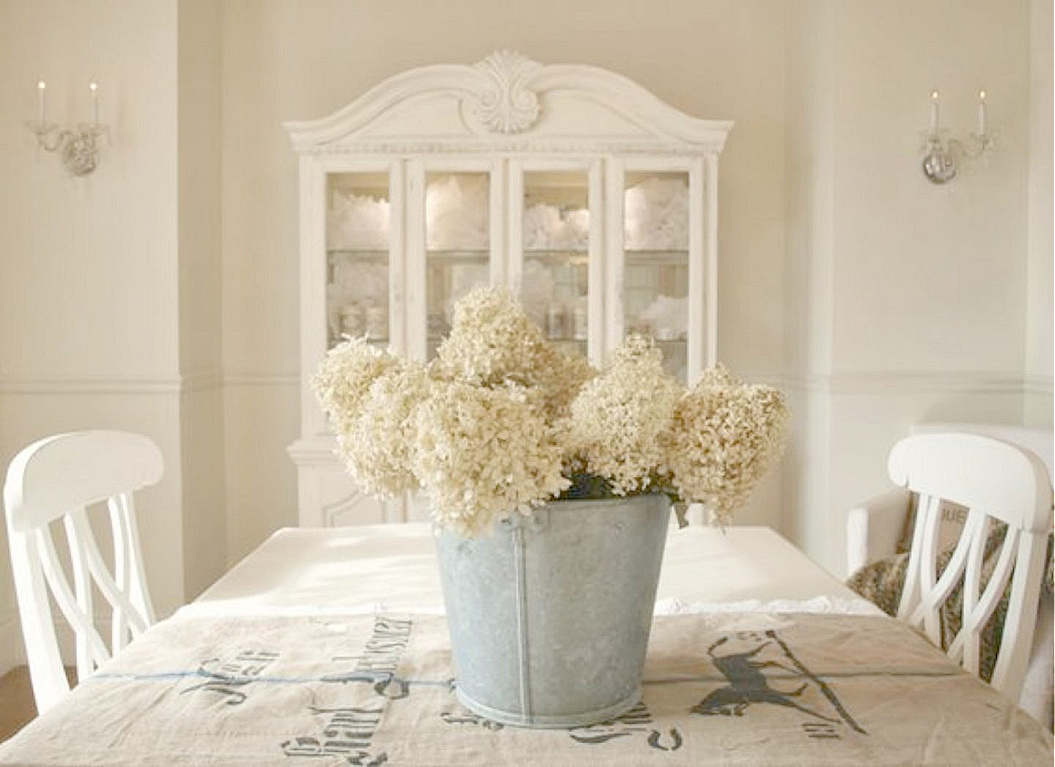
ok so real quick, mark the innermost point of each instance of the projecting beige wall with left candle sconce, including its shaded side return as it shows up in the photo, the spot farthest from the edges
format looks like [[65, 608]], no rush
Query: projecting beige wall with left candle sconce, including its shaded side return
[[110, 308]]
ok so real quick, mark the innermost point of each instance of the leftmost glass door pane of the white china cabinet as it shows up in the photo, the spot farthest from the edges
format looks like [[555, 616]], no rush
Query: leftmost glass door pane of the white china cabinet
[[357, 257]]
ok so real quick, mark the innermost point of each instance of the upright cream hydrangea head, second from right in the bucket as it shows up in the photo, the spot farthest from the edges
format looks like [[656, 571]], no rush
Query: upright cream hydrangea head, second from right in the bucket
[[618, 418]]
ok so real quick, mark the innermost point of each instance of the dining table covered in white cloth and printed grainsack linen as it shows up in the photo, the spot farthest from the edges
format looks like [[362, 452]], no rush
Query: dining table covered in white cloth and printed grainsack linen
[[330, 647]]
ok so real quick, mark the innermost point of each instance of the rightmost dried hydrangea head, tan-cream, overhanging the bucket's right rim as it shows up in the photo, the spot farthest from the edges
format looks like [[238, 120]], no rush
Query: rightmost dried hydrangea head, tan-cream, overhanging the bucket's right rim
[[724, 437]]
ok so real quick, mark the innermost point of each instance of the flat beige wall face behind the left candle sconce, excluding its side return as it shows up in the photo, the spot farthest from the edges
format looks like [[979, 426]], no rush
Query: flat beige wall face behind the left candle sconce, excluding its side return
[[89, 334]]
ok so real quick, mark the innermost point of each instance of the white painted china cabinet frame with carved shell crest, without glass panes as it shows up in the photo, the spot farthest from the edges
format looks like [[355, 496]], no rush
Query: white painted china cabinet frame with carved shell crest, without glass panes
[[505, 116]]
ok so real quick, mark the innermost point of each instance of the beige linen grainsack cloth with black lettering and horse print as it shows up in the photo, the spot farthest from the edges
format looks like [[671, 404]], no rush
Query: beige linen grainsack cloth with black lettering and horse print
[[724, 688]]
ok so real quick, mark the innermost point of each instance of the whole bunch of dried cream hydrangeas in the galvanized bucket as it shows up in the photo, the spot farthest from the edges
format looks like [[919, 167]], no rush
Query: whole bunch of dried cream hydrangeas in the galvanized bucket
[[488, 429]]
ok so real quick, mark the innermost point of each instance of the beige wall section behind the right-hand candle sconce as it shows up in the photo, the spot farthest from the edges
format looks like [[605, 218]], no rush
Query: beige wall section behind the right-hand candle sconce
[[929, 283]]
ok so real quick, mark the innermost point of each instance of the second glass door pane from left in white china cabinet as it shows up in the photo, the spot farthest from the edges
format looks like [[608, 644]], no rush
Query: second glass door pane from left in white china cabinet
[[457, 245]]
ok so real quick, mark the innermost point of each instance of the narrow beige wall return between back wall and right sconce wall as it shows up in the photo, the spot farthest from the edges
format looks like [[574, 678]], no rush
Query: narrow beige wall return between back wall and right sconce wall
[[810, 255]]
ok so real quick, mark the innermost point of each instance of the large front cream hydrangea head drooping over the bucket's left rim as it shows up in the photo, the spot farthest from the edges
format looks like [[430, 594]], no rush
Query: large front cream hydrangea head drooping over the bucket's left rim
[[483, 454]]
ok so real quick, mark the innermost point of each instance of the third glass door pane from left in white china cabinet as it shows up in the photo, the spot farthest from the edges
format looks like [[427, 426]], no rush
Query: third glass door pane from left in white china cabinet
[[557, 241]]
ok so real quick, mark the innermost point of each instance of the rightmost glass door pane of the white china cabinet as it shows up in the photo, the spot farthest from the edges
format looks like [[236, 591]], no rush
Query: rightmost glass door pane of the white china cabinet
[[657, 269]]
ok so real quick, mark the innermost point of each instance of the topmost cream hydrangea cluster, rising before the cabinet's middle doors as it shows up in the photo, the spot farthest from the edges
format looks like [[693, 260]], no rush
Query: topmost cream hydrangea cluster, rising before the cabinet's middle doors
[[493, 341]]
